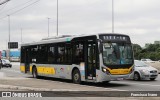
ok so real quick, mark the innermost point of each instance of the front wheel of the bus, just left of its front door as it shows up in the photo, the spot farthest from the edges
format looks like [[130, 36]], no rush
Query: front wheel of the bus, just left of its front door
[[76, 77]]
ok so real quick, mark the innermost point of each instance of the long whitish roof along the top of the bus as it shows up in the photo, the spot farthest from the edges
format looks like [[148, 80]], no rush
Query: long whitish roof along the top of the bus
[[65, 38]]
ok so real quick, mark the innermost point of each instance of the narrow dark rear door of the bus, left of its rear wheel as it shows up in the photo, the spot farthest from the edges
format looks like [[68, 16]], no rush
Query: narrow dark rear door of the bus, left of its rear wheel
[[27, 61]]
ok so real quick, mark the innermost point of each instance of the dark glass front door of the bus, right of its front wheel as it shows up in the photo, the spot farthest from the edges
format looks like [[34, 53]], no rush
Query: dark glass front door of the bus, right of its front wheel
[[91, 61]]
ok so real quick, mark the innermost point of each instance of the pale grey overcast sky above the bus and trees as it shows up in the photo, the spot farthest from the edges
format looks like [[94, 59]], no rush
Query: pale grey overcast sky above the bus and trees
[[140, 19]]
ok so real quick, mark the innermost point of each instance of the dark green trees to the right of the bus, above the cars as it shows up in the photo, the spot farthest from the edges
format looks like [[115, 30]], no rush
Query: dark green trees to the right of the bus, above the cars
[[151, 52]]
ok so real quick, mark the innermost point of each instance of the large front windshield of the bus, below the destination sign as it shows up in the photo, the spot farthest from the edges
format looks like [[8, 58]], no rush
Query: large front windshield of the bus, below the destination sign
[[117, 53]]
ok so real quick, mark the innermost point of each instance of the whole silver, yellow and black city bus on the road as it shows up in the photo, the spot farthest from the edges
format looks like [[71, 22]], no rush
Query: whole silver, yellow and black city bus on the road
[[92, 58]]
